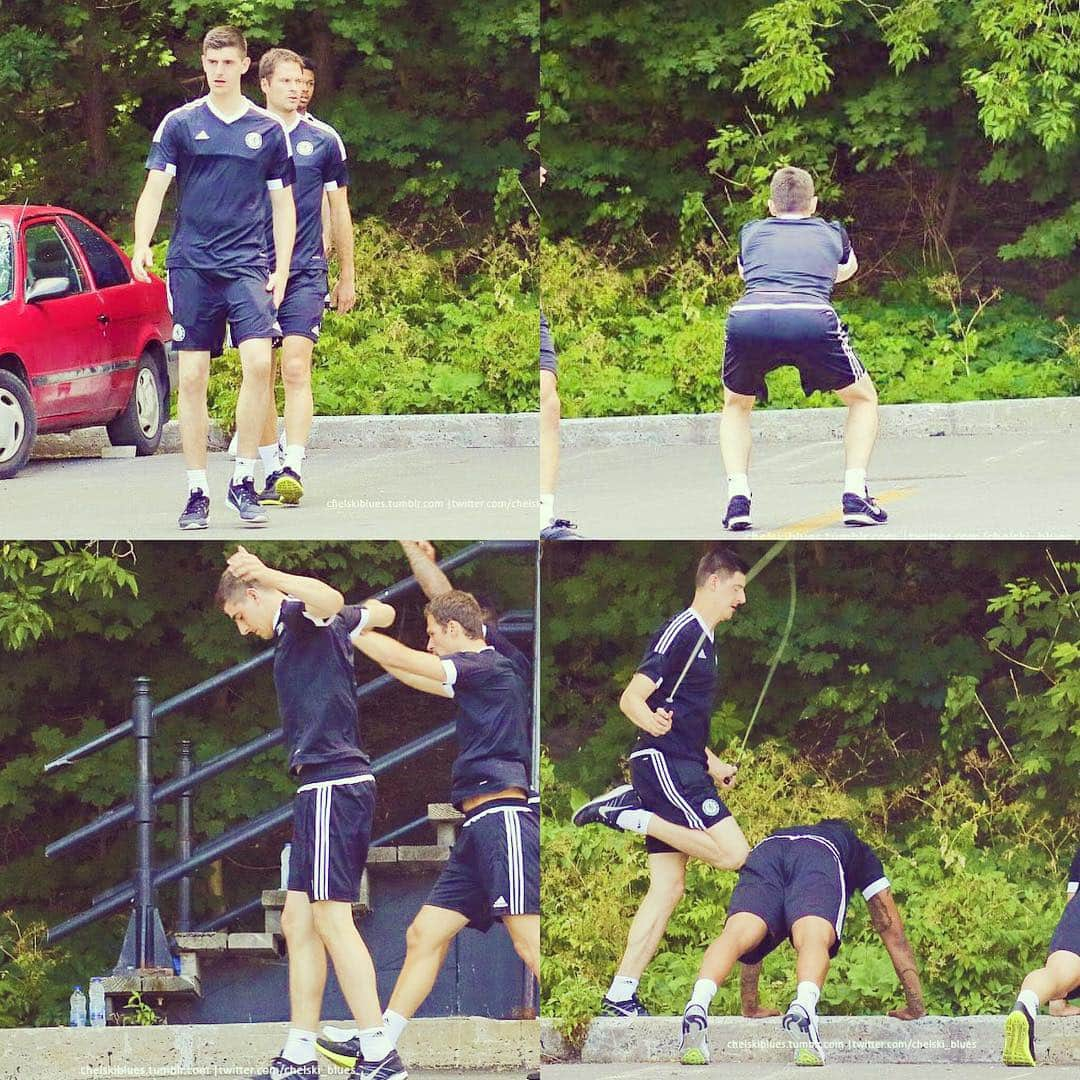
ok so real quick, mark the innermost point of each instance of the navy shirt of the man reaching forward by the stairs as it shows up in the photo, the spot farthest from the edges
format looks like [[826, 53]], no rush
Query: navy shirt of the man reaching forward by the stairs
[[493, 724]]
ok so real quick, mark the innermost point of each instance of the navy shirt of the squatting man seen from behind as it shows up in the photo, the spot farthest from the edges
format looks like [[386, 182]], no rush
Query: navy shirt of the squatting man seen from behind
[[793, 255]]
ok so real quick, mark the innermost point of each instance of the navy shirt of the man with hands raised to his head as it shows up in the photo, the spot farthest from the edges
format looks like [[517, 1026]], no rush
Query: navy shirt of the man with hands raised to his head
[[316, 682]]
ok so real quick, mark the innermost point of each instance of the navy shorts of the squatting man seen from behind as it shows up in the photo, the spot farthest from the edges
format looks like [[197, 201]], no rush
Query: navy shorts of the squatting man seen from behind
[[766, 331]]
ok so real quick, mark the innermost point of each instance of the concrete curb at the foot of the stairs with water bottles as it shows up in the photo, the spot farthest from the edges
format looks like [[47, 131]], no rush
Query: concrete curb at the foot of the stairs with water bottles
[[245, 1050]]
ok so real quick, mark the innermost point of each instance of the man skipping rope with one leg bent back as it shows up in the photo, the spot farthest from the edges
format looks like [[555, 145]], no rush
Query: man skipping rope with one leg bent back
[[673, 800]]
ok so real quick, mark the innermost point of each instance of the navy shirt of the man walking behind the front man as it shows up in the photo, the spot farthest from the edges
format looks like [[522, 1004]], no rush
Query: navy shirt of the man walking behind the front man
[[320, 159]]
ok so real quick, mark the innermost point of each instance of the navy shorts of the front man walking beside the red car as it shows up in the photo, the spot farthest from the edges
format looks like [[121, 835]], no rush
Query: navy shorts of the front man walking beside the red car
[[205, 303]]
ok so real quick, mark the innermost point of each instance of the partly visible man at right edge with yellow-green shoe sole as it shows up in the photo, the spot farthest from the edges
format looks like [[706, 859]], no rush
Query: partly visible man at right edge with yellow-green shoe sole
[[1058, 980]]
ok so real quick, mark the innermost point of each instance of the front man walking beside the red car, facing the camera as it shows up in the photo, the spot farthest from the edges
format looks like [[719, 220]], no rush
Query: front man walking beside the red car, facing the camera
[[226, 155]]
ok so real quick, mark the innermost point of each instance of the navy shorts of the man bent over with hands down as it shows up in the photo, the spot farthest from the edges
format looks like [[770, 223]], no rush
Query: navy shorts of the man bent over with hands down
[[786, 879]]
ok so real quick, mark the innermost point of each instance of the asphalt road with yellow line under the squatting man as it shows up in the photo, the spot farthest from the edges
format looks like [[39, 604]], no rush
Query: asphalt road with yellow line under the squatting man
[[951, 488]]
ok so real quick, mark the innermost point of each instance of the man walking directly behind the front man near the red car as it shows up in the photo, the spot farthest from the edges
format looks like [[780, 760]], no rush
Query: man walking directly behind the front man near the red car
[[321, 172]]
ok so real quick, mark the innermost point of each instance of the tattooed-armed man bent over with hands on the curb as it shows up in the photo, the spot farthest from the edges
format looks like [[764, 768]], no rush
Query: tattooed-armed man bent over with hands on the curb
[[796, 884]]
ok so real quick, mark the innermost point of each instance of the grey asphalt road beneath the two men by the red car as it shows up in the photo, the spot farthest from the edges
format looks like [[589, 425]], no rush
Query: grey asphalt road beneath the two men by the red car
[[440, 492]]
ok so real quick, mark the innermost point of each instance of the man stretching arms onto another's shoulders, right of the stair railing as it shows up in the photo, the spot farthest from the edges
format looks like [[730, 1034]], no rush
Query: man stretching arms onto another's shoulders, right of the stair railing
[[494, 870]]
